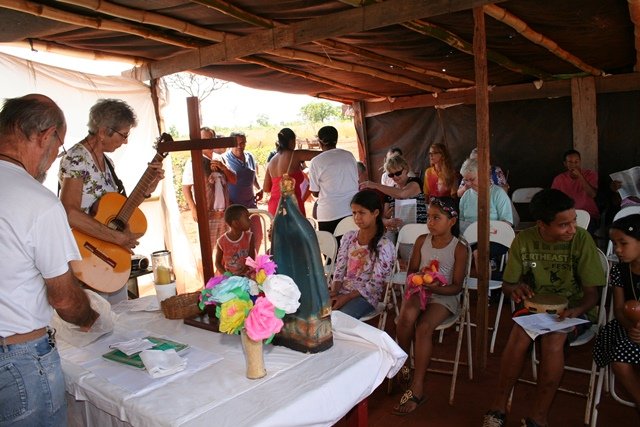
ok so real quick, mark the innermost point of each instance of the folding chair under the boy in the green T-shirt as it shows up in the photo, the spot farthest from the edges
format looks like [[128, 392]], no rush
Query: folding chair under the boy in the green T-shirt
[[584, 338]]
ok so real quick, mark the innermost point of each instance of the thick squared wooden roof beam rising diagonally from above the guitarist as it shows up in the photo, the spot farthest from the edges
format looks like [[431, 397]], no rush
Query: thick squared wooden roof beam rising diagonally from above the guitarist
[[328, 26]]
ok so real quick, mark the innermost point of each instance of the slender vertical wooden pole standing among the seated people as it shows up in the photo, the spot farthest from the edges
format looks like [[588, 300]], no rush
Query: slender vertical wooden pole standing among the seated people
[[482, 136]]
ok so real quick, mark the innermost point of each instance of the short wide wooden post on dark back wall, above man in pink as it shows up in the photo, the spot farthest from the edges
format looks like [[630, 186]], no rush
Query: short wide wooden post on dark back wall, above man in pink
[[585, 127]]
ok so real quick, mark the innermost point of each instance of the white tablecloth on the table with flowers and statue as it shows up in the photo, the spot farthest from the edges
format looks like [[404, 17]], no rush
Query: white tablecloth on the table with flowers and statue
[[299, 389]]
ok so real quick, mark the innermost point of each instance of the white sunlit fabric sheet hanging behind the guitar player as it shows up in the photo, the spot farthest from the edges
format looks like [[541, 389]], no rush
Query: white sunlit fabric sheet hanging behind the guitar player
[[75, 93]]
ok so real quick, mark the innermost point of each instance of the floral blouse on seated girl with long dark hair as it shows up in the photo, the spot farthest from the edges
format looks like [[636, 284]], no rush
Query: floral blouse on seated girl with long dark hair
[[358, 271]]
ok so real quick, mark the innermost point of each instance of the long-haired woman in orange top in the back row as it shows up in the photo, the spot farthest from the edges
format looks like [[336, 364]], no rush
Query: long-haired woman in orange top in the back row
[[440, 177]]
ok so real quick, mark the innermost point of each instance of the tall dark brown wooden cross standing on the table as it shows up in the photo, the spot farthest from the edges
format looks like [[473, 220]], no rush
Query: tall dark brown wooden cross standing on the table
[[196, 145]]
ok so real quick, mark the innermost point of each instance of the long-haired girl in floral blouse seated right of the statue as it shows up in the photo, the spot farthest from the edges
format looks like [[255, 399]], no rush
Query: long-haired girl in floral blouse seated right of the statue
[[364, 261]]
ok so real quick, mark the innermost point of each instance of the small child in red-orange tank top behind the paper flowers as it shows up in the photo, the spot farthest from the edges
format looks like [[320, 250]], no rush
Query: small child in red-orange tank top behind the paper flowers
[[236, 244]]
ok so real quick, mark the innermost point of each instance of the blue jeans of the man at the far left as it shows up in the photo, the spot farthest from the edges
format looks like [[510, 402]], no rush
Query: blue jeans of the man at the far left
[[31, 385]]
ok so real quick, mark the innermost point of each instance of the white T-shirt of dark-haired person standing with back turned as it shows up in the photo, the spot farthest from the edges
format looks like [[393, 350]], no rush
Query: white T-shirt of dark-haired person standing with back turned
[[334, 174]]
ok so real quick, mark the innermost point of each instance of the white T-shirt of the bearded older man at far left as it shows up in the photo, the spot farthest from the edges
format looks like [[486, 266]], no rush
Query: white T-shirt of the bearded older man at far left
[[36, 244]]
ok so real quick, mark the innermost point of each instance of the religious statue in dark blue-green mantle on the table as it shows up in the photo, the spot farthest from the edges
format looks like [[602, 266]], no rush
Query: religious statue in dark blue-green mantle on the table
[[295, 250]]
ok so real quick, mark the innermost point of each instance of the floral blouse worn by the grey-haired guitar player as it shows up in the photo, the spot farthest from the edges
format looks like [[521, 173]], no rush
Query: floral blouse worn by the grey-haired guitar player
[[78, 163]]
